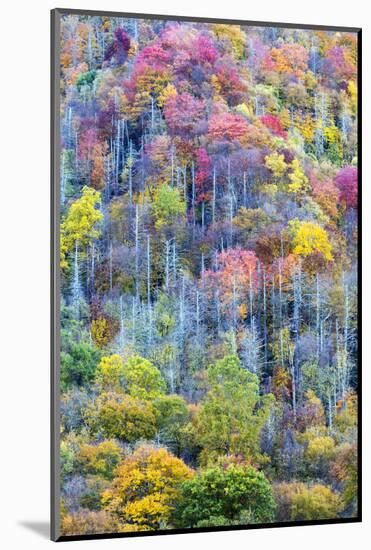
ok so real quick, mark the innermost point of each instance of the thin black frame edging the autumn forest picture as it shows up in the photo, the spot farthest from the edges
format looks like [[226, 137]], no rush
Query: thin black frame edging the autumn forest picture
[[55, 276]]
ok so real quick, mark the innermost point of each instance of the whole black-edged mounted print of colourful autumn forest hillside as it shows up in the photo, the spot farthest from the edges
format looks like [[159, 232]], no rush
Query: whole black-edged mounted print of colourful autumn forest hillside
[[205, 274]]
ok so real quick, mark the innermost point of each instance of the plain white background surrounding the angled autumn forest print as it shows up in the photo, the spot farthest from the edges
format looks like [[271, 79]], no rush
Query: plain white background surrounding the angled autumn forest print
[[24, 271]]
